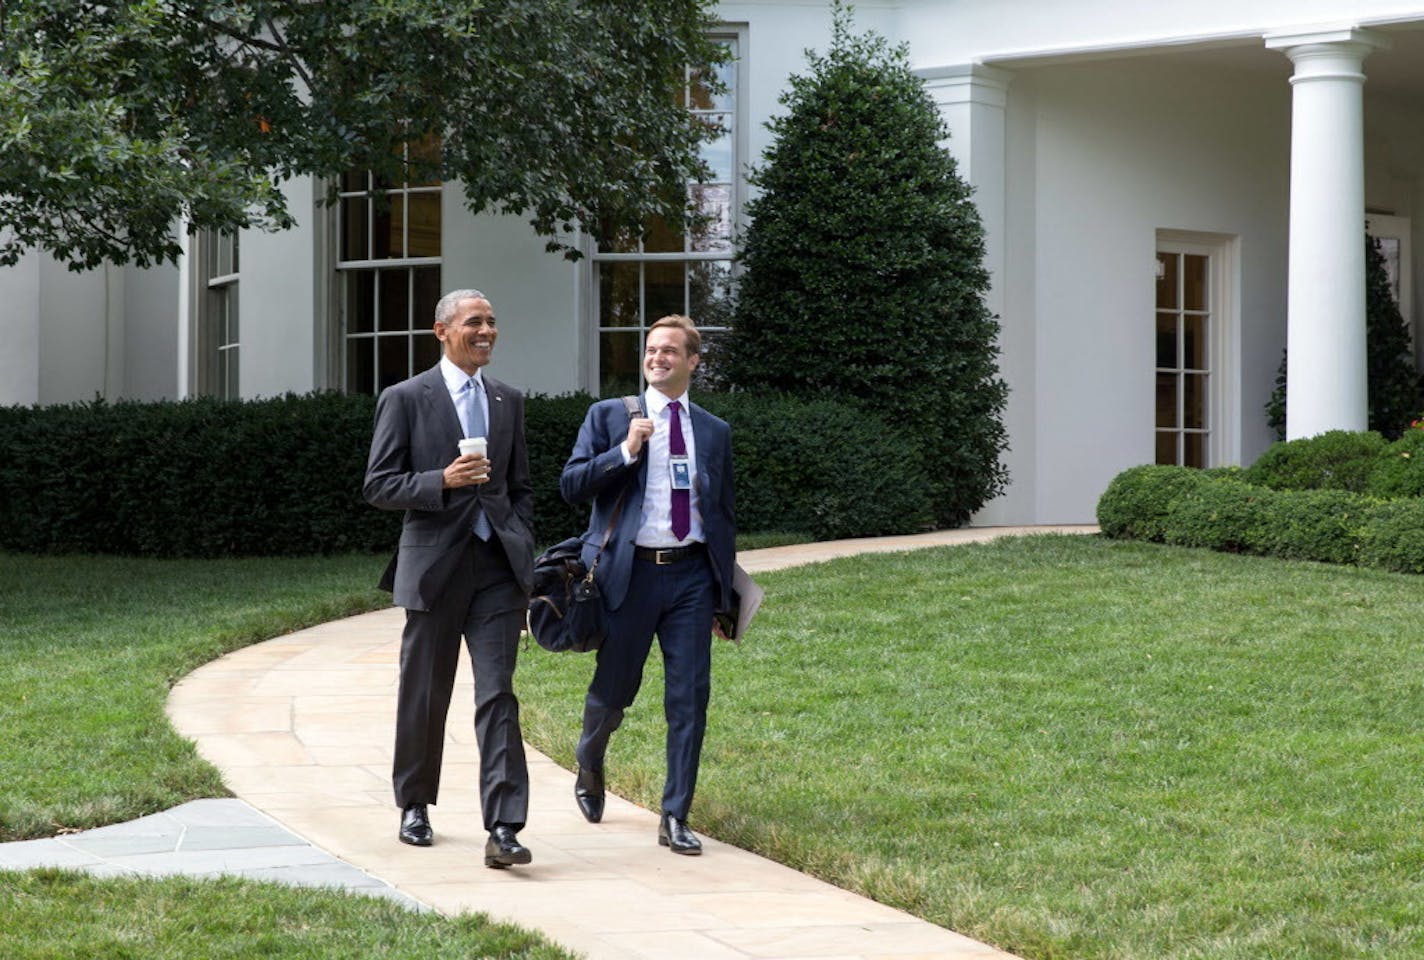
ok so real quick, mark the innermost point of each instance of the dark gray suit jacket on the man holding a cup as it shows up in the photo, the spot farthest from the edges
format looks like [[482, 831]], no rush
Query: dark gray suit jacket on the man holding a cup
[[418, 435]]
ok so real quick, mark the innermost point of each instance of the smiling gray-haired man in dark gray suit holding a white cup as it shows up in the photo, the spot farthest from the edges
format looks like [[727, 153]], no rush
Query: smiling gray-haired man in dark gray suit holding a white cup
[[465, 566]]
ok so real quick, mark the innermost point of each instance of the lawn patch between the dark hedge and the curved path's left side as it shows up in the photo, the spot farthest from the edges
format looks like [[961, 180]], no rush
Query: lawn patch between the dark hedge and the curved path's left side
[[89, 650]]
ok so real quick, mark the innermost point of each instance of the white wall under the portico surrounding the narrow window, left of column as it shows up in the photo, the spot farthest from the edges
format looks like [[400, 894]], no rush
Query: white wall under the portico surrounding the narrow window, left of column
[[1117, 155]]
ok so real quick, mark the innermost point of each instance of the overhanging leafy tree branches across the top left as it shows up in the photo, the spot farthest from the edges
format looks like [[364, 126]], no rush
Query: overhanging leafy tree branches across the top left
[[120, 119]]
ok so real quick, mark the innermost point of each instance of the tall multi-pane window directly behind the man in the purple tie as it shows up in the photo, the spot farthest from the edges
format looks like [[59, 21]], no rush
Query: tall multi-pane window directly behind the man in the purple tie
[[674, 267]]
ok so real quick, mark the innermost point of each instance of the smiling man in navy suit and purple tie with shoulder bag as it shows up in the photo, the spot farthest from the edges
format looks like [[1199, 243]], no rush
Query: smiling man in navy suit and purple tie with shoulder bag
[[667, 568]]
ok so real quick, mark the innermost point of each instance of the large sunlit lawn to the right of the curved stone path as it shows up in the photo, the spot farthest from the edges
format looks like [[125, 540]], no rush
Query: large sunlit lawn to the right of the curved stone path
[[1069, 747]]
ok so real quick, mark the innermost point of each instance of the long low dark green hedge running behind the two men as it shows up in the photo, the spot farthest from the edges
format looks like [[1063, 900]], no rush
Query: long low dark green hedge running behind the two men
[[284, 476]]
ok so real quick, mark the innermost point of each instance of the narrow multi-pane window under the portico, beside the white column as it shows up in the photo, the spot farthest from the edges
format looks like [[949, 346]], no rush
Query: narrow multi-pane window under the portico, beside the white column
[[1184, 358]]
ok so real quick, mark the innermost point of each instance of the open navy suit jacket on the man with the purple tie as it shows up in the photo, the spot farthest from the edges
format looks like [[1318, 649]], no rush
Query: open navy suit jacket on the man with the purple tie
[[596, 472]]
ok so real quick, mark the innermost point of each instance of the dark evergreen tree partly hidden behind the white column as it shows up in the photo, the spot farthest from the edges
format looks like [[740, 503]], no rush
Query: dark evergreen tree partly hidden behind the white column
[[1393, 387]]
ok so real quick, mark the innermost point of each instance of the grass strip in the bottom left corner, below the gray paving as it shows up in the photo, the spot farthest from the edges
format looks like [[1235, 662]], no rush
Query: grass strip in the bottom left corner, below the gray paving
[[51, 915]]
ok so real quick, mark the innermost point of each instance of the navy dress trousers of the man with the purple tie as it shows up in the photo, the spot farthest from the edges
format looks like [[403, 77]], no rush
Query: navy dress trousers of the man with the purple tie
[[676, 603]]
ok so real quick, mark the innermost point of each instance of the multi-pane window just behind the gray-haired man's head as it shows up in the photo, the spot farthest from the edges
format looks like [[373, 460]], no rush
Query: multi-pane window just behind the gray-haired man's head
[[389, 273]]
